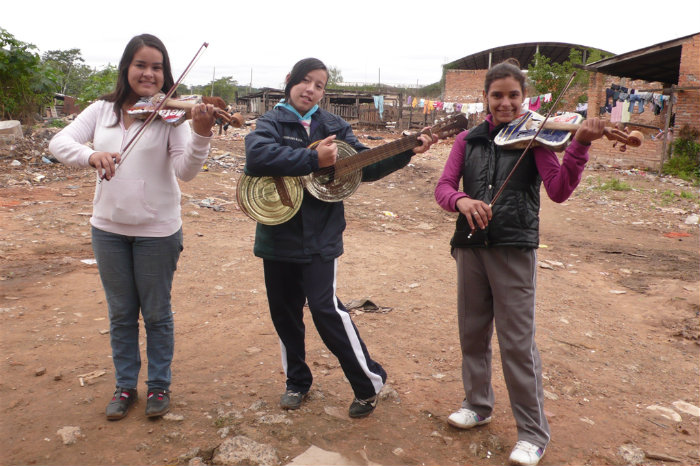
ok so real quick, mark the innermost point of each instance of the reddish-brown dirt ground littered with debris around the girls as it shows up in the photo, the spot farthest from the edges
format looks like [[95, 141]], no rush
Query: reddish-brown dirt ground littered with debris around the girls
[[617, 315]]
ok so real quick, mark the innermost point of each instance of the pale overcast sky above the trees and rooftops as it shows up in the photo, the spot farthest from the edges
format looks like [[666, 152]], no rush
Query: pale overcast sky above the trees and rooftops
[[395, 42]]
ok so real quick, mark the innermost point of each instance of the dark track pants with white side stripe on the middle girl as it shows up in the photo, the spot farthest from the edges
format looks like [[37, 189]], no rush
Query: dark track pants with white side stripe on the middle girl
[[289, 286]]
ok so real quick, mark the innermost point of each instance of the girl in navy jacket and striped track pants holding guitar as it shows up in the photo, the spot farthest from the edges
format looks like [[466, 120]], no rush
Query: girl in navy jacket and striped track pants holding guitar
[[300, 256]]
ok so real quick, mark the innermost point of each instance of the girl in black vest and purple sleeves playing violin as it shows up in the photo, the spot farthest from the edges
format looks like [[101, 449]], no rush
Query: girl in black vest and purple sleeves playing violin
[[496, 266]]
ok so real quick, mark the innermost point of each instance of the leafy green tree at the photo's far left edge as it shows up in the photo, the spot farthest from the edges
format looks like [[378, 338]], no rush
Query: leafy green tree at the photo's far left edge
[[27, 84]]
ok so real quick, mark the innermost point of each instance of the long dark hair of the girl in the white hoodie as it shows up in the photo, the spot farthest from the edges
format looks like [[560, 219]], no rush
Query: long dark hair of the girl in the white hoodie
[[122, 91]]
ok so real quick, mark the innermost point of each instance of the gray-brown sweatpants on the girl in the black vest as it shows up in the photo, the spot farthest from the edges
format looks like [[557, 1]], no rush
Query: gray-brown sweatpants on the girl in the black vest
[[498, 285]]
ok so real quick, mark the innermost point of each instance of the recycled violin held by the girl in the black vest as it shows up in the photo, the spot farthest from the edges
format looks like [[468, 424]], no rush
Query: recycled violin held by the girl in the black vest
[[556, 132]]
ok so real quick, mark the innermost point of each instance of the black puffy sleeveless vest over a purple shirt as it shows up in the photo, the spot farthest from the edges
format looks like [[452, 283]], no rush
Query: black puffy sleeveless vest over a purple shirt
[[515, 219]]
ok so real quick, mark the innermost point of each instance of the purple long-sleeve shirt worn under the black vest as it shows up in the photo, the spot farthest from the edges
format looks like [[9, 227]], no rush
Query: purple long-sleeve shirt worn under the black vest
[[559, 180]]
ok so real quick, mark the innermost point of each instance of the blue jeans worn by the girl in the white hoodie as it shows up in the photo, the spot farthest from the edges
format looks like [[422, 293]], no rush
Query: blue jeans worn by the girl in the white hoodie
[[137, 275]]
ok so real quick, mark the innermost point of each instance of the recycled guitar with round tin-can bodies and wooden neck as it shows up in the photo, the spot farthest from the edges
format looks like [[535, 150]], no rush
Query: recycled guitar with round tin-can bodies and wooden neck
[[274, 200]]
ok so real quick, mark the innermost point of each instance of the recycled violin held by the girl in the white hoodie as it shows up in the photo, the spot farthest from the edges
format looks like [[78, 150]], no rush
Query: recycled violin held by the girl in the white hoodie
[[176, 110]]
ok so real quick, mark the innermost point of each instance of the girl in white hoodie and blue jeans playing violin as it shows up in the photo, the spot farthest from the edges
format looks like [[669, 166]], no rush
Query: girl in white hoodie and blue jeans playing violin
[[136, 222]]
